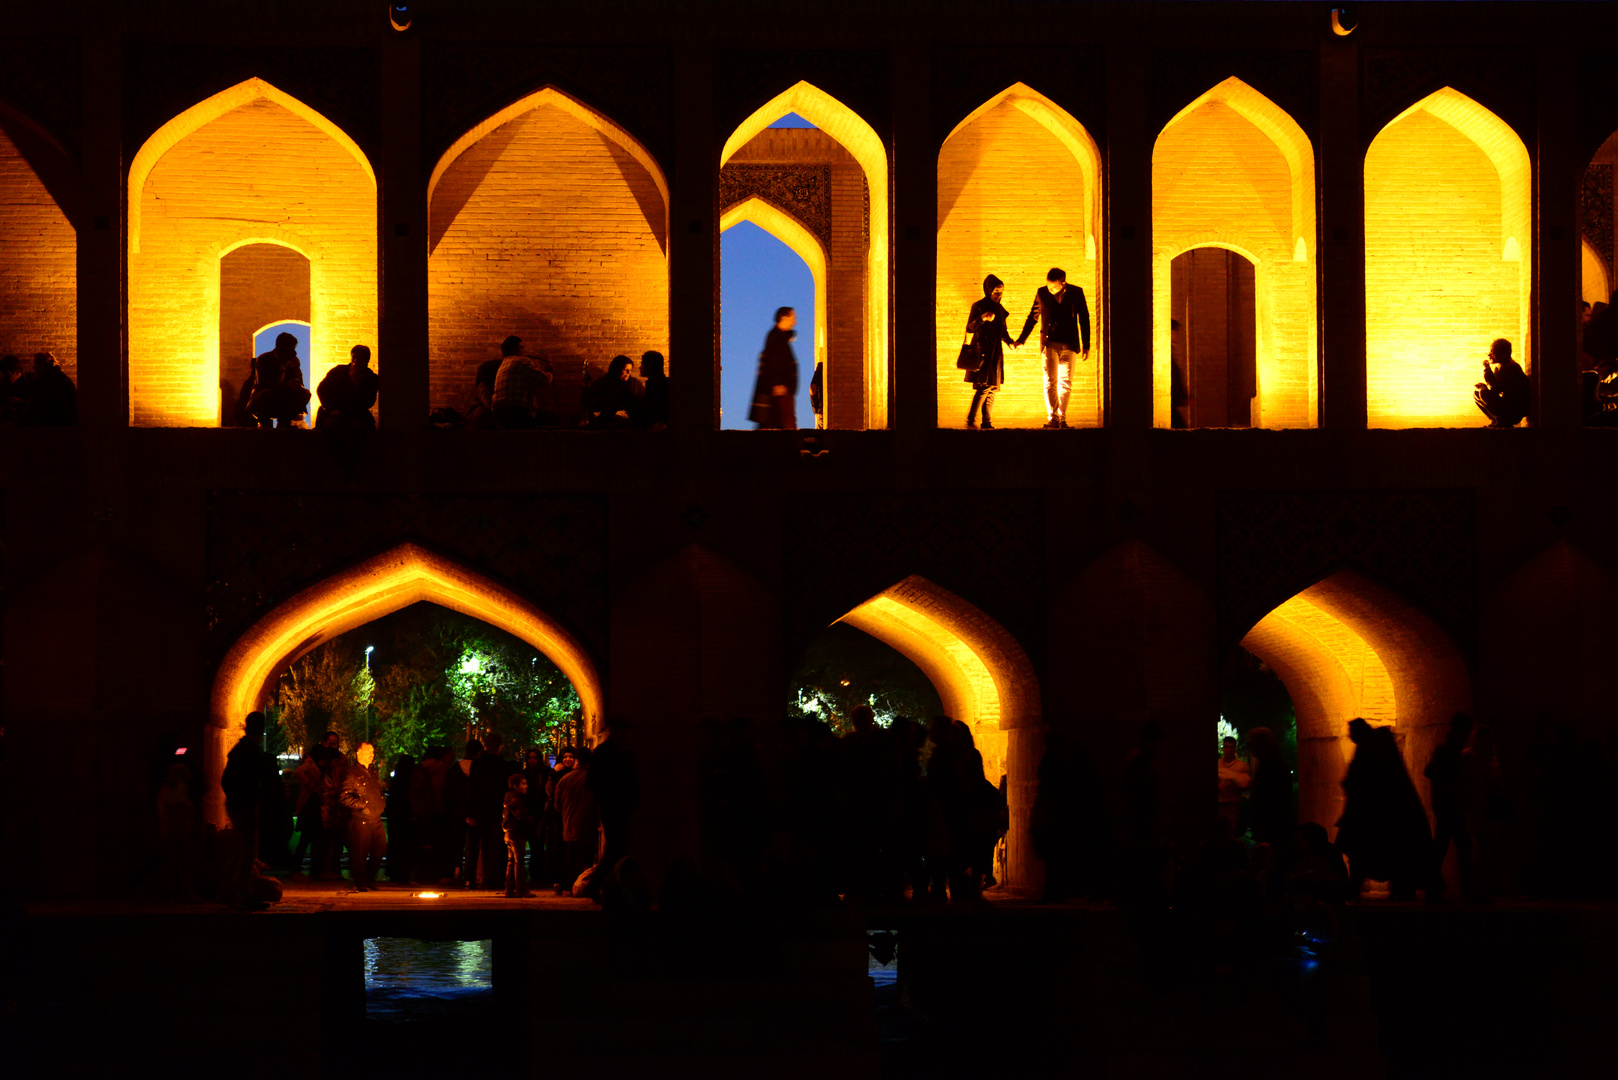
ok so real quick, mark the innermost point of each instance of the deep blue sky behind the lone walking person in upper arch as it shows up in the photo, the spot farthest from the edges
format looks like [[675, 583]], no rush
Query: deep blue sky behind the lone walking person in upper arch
[[760, 274]]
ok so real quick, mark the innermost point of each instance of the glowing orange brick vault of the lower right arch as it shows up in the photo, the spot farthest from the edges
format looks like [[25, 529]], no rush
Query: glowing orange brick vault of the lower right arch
[[1345, 648]]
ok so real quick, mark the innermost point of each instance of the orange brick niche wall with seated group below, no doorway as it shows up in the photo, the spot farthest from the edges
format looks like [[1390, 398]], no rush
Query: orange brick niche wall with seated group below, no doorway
[[549, 231]]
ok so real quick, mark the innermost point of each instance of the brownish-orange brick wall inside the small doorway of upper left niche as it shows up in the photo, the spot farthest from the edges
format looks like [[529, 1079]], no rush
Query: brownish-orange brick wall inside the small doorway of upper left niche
[[258, 286]]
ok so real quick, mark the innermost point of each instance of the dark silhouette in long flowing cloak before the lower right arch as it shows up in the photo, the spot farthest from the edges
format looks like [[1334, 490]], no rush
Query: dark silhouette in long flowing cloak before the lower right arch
[[1384, 828]]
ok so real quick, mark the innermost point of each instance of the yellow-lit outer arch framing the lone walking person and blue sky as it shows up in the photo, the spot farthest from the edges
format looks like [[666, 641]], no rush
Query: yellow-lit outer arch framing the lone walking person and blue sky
[[857, 375]]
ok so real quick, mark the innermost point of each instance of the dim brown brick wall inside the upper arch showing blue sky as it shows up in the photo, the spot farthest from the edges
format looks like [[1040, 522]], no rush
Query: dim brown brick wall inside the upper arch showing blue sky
[[847, 261]]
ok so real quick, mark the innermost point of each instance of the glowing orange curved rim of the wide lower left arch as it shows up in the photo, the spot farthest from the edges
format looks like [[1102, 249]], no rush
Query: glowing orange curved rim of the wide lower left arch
[[352, 598]]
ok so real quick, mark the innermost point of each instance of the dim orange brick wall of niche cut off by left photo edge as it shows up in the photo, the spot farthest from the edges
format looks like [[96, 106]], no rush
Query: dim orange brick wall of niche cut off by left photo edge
[[40, 270]]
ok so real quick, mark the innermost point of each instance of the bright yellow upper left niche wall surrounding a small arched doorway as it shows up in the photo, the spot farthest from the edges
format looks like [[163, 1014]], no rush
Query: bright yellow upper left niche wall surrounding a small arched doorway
[[250, 164]]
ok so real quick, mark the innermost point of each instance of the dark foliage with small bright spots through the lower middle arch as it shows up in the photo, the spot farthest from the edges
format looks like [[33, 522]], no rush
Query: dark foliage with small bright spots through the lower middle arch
[[845, 668]]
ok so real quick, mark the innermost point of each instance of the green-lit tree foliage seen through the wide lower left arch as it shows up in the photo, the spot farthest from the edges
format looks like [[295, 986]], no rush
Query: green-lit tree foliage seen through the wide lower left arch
[[438, 678]]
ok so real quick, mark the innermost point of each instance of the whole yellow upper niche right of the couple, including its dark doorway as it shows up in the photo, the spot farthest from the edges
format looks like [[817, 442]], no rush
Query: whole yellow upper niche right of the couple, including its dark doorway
[[1234, 171]]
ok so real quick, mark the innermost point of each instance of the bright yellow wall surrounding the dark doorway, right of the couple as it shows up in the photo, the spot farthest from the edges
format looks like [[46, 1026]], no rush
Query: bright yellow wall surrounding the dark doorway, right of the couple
[[1235, 171]]
